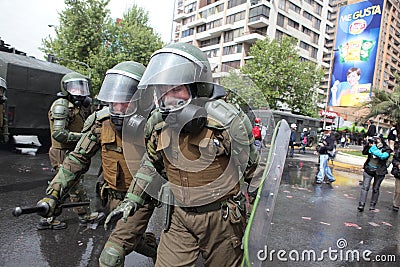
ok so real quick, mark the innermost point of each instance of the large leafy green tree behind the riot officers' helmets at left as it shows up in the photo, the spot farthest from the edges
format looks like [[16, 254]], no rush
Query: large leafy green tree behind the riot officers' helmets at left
[[87, 36]]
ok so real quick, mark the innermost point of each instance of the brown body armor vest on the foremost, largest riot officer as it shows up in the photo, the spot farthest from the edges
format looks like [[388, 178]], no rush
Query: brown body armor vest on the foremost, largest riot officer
[[197, 166]]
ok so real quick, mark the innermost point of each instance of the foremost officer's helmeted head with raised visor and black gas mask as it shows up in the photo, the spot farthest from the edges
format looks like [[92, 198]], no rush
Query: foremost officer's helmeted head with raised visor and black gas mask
[[181, 78]]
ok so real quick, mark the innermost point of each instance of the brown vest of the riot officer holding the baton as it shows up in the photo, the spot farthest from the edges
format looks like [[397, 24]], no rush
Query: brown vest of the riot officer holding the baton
[[115, 169]]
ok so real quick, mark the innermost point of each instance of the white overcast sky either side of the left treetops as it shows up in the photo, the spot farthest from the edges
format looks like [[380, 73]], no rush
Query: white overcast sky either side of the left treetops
[[24, 23]]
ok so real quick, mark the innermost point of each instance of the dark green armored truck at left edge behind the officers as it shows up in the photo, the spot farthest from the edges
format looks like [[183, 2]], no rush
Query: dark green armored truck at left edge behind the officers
[[32, 86]]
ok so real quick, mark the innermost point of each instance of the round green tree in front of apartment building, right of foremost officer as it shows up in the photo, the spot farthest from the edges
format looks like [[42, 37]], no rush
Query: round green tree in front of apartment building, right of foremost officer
[[283, 77]]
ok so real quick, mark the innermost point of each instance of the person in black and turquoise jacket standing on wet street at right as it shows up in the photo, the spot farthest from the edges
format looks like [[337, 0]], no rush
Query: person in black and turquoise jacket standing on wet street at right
[[374, 168]]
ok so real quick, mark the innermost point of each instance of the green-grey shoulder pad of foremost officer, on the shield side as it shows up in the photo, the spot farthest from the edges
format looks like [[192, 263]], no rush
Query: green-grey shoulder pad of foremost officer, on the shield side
[[223, 115]]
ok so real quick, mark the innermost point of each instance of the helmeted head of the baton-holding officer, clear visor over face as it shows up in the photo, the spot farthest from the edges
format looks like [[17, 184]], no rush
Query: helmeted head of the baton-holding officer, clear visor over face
[[118, 88]]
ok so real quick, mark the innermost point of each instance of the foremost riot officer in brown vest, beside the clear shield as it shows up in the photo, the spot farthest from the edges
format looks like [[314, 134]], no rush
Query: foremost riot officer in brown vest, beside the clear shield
[[202, 145]]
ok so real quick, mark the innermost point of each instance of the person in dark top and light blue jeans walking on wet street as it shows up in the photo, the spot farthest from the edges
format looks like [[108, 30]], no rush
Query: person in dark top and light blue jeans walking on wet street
[[326, 144]]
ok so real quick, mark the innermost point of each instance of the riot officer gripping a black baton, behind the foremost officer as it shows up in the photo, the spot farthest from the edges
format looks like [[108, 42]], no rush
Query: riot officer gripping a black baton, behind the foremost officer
[[103, 131]]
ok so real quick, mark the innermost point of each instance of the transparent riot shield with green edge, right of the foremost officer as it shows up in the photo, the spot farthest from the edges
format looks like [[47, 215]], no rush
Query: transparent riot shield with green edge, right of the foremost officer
[[261, 216]]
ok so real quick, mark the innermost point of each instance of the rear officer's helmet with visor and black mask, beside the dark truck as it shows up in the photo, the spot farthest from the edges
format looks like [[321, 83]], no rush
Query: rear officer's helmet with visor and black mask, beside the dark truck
[[75, 87]]
